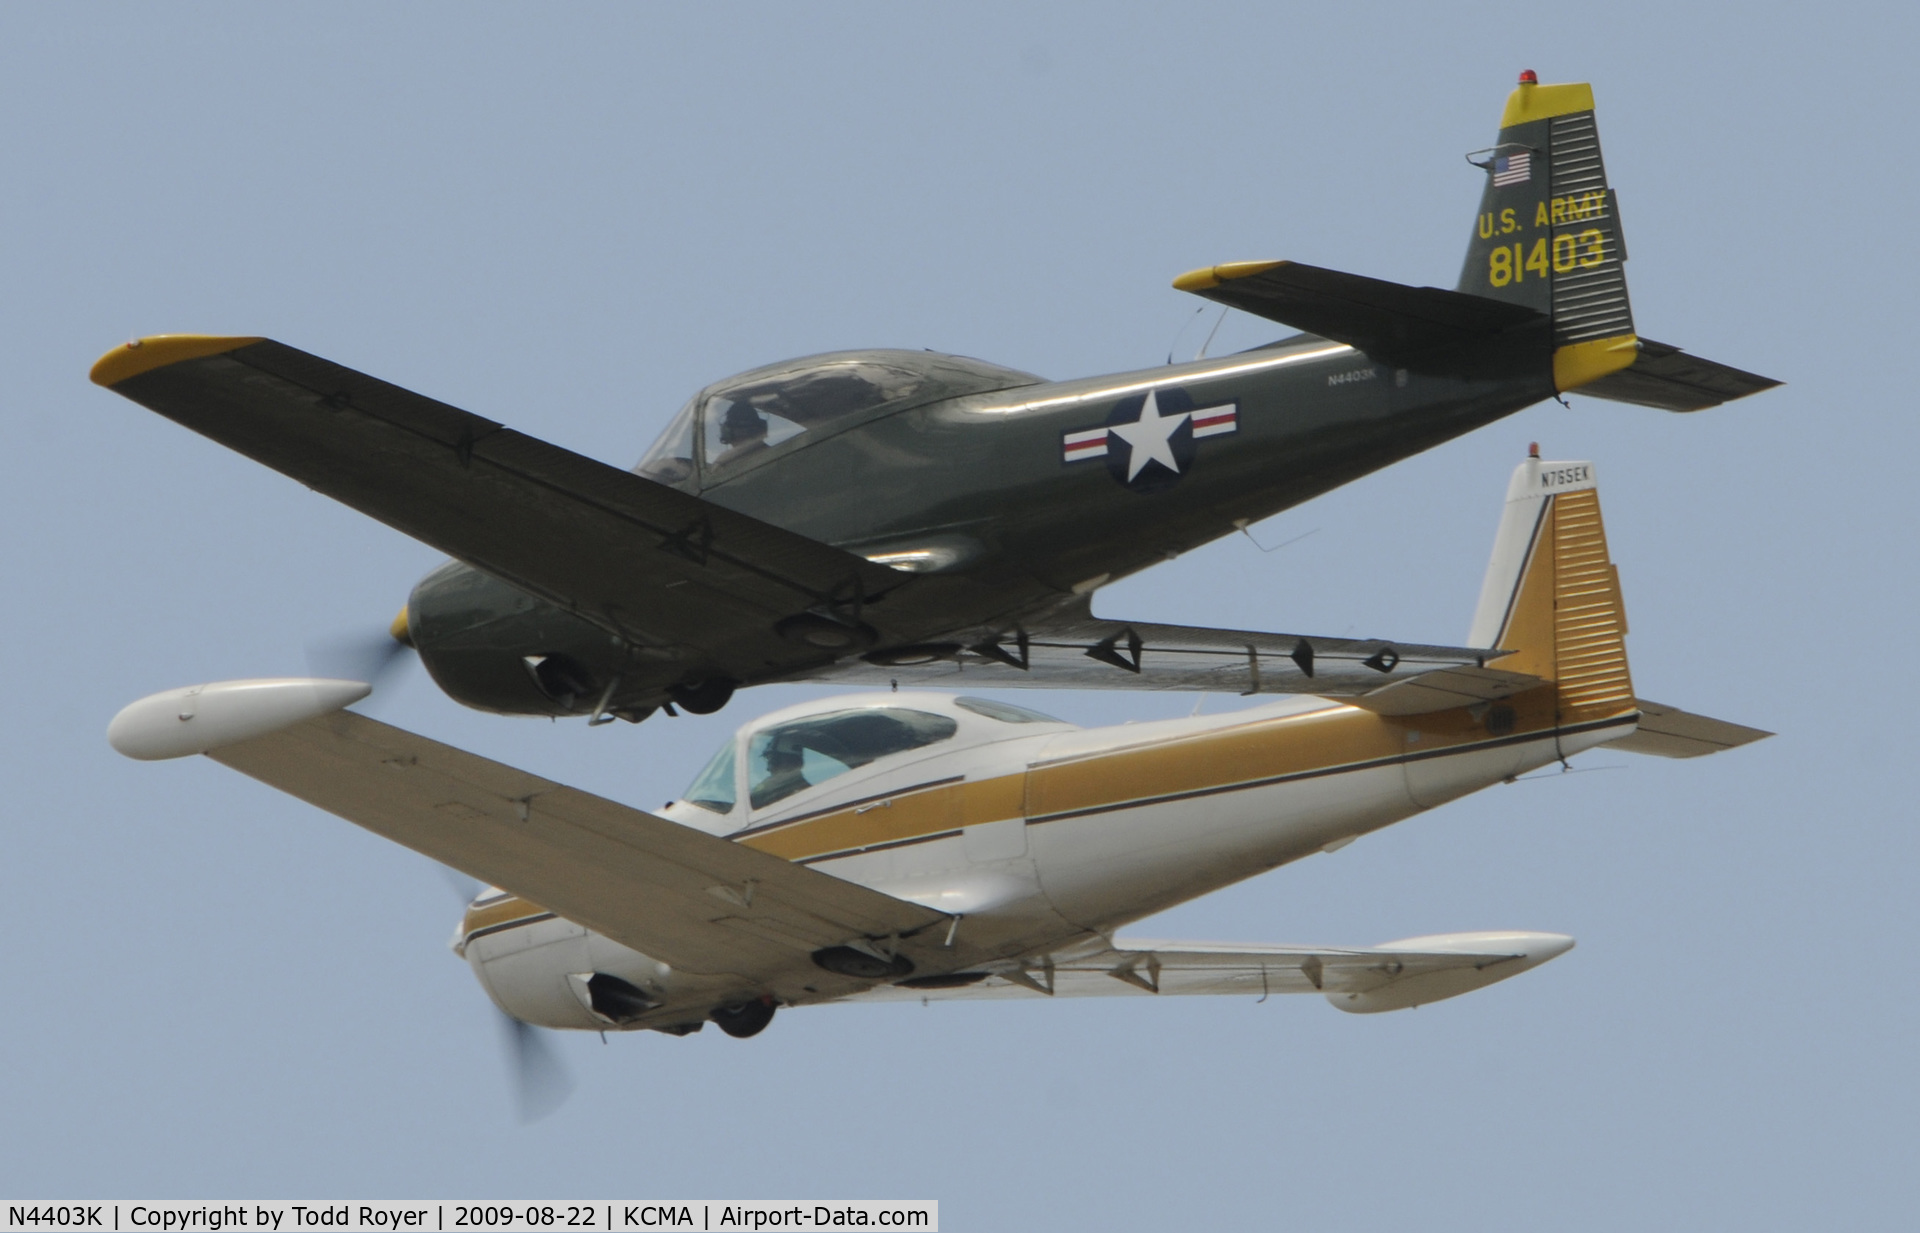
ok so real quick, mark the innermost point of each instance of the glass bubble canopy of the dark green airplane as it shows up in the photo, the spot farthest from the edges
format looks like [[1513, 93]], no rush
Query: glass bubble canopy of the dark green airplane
[[746, 416]]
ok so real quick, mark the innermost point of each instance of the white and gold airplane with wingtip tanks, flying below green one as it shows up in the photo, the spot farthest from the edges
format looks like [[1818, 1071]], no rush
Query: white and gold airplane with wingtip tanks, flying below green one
[[934, 846]]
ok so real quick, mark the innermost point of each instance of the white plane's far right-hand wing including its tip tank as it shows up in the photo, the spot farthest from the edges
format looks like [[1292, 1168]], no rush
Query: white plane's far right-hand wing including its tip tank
[[1355, 979]]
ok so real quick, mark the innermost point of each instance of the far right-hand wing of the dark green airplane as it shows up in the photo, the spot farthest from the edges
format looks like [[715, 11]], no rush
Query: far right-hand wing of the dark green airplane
[[1084, 652]]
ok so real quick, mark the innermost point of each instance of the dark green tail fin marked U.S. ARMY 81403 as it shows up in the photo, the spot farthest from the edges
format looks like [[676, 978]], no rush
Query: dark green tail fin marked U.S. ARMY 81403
[[1548, 231]]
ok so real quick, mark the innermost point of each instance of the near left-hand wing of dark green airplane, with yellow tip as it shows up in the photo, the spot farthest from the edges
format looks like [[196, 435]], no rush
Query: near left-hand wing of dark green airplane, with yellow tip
[[644, 562]]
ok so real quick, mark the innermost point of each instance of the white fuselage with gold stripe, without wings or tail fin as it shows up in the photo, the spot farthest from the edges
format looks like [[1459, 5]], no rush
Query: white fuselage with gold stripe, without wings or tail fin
[[1044, 838]]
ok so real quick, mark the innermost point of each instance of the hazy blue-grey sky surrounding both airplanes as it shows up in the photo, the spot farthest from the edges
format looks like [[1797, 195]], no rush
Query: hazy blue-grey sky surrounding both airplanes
[[569, 218]]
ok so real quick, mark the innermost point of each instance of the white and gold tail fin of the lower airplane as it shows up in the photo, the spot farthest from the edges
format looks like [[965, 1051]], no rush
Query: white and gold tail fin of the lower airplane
[[1552, 594]]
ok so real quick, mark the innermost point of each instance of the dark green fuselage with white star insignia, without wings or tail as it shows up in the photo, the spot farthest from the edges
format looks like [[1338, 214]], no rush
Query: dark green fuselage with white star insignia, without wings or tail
[[996, 487]]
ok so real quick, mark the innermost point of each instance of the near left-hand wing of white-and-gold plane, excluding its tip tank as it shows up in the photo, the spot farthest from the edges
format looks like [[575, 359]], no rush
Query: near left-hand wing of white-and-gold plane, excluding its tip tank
[[686, 898]]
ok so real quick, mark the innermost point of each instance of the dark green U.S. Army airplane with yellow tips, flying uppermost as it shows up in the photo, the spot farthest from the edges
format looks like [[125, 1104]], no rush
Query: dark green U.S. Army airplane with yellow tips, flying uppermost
[[917, 518]]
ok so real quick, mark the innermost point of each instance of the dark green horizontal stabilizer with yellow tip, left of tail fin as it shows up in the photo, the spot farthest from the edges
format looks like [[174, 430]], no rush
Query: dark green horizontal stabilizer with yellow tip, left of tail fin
[[1414, 327]]
